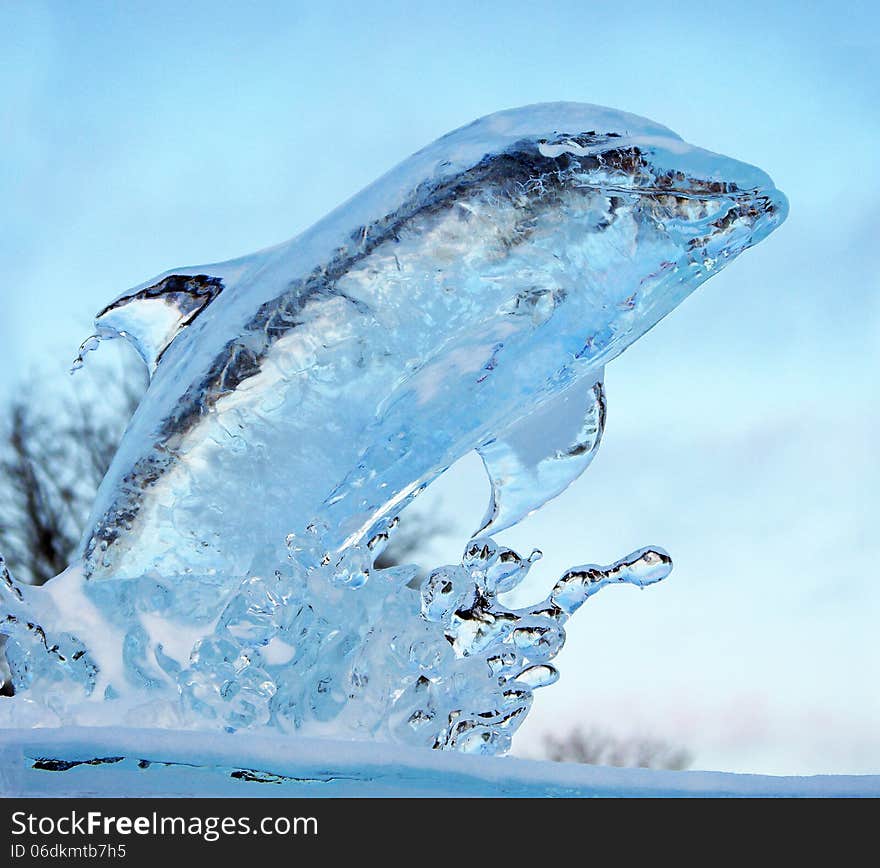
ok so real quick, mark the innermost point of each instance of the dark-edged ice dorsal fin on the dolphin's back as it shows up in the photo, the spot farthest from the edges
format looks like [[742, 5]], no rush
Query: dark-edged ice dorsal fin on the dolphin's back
[[150, 318]]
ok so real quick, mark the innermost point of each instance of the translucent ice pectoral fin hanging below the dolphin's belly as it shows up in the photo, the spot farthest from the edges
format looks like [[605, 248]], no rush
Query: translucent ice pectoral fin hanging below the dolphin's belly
[[538, 457]]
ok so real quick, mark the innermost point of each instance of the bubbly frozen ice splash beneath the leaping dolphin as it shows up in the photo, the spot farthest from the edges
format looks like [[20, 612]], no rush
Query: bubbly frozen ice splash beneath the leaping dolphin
[[312, 651]]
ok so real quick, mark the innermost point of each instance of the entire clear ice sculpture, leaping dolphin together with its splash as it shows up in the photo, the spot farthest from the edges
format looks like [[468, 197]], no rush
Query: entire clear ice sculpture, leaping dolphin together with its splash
[[301, 397]]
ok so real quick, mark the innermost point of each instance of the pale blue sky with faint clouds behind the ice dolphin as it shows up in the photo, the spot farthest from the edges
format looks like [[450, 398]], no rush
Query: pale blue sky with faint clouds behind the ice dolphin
[[742, 431]]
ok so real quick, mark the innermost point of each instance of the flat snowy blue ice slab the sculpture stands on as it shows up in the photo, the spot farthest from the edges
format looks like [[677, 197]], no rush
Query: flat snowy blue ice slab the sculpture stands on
[[74, 762]]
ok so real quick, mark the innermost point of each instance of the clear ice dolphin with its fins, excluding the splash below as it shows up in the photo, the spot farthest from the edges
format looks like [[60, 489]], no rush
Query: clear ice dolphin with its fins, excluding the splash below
[[469, 299]]
